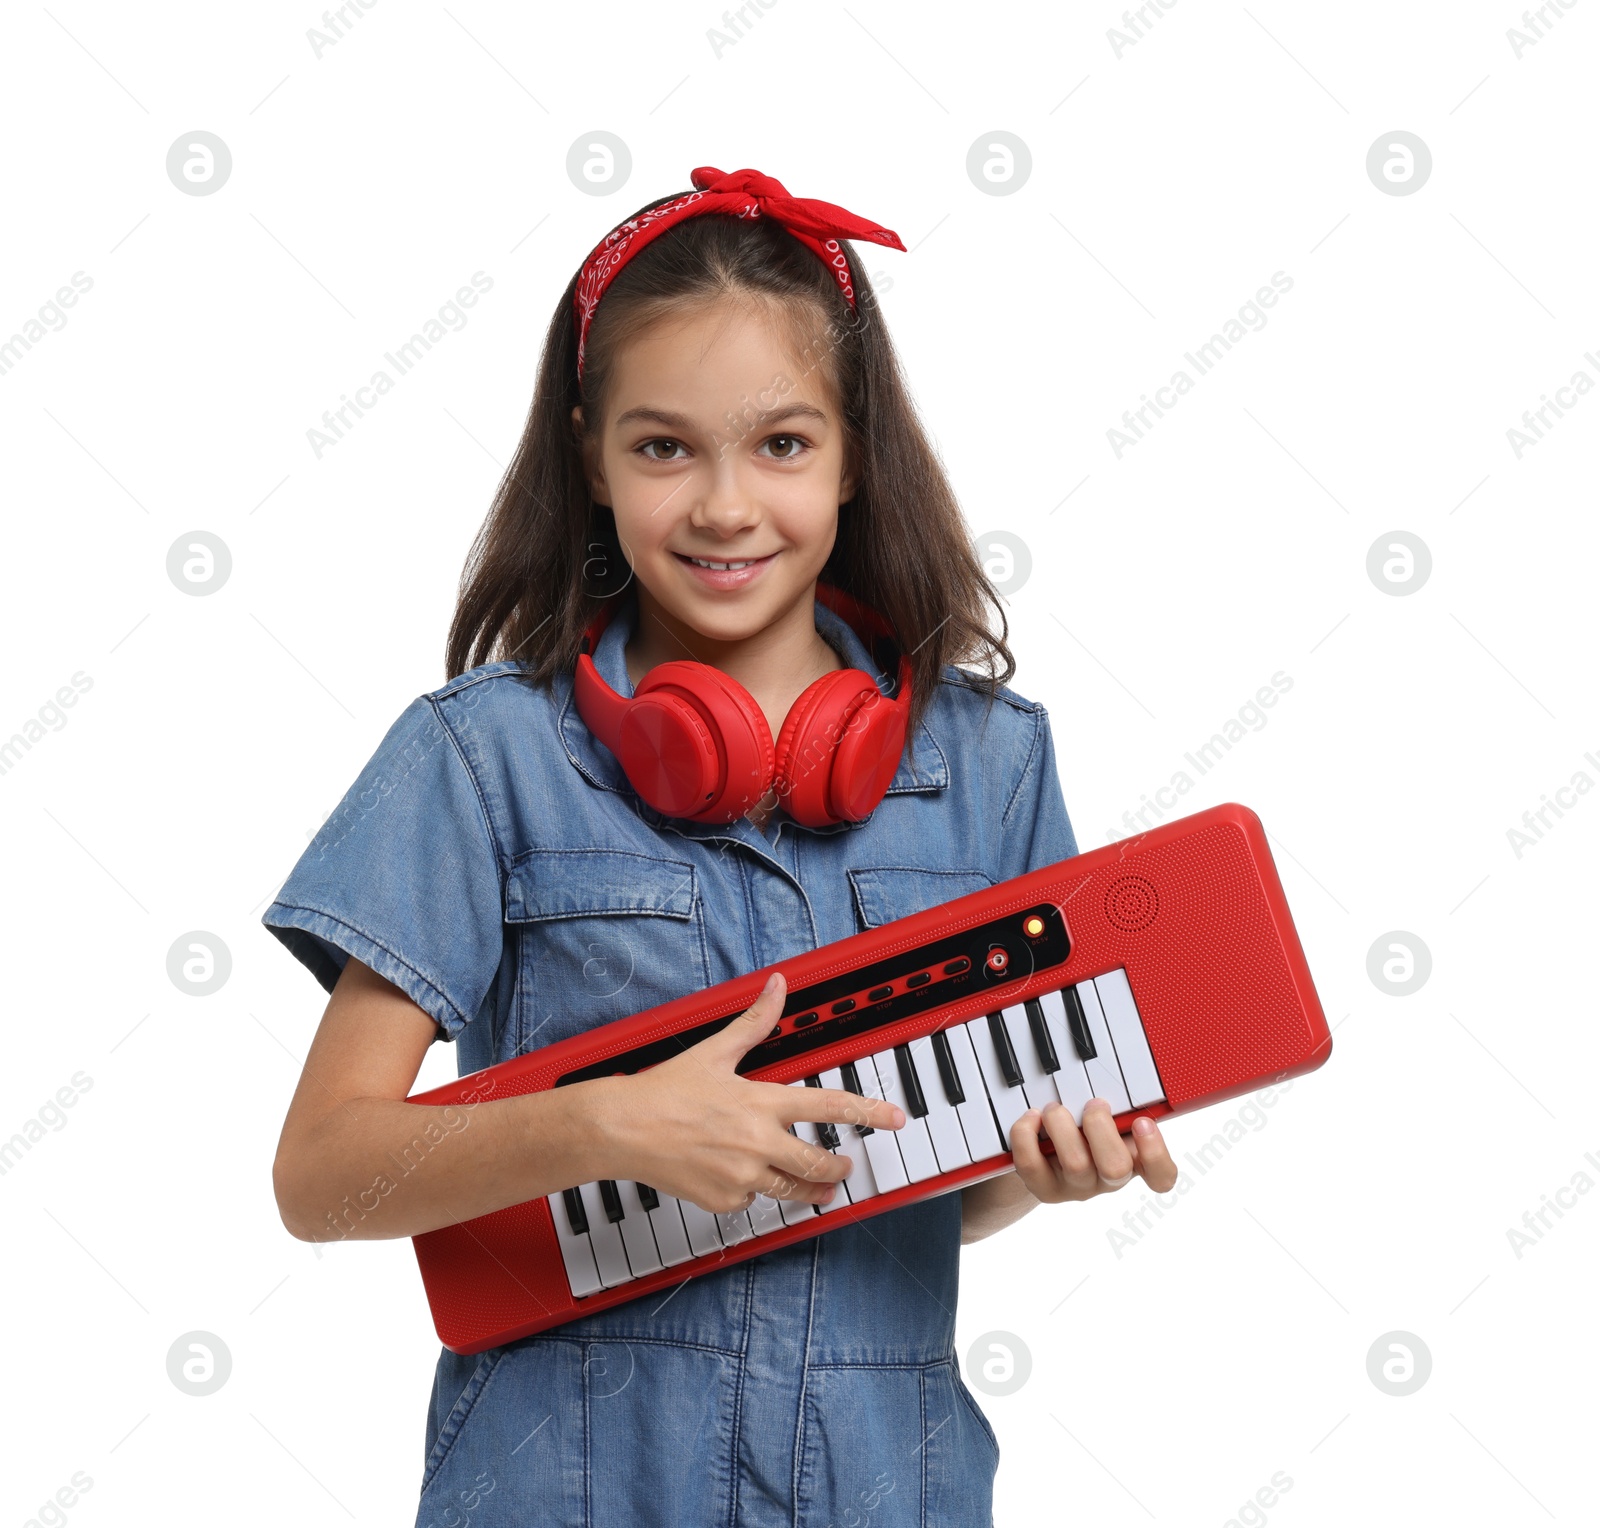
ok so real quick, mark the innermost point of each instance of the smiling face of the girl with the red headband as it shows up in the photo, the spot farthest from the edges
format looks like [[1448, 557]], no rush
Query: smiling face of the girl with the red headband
[[724, 462]]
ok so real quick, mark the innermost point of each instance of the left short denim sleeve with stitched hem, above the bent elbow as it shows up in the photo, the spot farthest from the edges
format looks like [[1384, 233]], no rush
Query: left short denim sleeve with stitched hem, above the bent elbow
[[404, 876]]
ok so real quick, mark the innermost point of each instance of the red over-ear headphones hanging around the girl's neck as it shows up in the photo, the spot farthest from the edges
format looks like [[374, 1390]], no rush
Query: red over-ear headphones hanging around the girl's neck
[[695, 745]]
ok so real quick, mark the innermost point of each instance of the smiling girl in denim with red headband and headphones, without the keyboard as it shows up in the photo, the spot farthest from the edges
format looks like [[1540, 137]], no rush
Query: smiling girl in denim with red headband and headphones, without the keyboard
[[721, 454]]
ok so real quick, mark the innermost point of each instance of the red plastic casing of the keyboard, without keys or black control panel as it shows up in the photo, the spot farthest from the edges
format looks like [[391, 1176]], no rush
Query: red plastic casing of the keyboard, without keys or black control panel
[[1193, 911]]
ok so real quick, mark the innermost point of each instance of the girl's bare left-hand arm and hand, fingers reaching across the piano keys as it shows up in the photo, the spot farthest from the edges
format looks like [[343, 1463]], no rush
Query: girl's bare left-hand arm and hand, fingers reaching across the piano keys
[[358, 1161]]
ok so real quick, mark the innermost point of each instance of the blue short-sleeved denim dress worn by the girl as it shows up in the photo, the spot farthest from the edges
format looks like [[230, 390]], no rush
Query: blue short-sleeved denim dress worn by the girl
[[495, 865]]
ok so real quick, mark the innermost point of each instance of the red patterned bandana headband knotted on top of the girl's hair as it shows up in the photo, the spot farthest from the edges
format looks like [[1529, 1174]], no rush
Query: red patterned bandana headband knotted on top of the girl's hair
[[746, 194]]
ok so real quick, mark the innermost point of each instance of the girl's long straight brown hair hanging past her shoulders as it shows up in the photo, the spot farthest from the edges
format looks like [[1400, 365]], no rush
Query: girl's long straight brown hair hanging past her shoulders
[[548, 558]]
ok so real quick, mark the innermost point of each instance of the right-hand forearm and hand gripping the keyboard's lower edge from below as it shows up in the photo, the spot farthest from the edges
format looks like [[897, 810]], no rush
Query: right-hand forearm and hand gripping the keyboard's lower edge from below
[[1087, 1162]]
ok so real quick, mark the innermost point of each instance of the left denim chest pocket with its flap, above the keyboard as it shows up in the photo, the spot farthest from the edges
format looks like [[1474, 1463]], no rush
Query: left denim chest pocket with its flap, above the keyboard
[[601, 935]]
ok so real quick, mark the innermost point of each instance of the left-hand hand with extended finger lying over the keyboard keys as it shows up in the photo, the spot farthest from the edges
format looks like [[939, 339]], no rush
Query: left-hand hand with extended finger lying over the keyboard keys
[[695, 1129]]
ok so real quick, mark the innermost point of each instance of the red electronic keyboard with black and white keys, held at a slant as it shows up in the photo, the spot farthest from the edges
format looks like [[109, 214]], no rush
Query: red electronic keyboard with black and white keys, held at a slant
[[1161, 974]]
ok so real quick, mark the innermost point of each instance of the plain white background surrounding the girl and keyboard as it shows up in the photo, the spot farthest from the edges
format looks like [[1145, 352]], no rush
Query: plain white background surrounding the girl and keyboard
[[1170, 180]]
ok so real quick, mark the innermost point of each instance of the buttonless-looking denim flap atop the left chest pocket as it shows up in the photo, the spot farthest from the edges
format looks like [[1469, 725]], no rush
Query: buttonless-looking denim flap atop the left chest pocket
[[575, 884]]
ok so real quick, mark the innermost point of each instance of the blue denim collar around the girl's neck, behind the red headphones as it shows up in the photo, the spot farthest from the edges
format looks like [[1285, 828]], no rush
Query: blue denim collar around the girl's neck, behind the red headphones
[[922, 767]]
